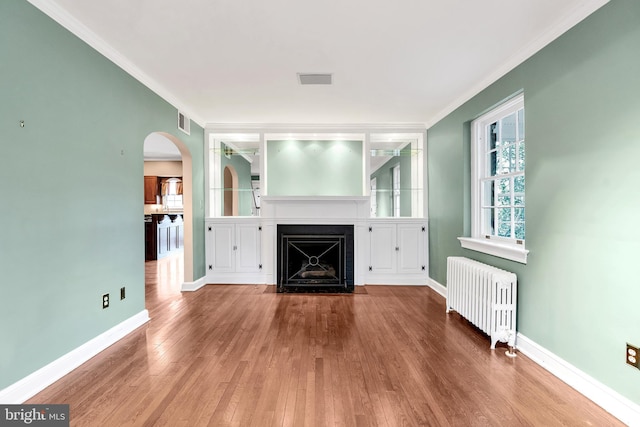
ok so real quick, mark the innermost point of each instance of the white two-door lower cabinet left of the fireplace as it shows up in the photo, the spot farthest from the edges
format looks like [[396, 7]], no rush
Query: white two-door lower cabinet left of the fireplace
[[233, 251]]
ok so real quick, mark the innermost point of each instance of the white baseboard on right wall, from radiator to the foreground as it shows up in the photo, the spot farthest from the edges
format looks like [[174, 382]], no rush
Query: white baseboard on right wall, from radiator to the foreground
[[610, 400]]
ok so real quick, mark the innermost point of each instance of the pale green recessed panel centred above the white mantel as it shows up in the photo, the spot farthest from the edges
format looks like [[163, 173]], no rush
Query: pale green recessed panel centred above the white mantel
[[314, 168]]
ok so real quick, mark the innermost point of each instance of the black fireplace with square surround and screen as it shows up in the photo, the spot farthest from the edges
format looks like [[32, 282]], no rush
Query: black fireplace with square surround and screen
[[315, 258]]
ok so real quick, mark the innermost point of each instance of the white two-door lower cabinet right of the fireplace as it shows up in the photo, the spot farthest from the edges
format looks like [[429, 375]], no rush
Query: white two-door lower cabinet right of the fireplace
[[397, 252]]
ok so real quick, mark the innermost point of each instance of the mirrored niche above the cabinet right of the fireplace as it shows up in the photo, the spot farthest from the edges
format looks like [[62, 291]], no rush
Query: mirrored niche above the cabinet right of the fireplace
[[395, 178]]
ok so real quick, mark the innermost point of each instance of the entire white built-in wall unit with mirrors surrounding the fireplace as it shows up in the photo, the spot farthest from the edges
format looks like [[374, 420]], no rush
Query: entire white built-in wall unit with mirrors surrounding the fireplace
[[371, 178]]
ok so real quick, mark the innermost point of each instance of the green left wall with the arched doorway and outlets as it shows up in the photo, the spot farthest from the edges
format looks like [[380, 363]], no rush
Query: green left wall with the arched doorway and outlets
[[72, 202]]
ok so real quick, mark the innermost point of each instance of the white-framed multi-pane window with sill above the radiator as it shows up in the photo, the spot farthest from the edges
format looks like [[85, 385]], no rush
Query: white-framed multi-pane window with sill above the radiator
[[498, 182]]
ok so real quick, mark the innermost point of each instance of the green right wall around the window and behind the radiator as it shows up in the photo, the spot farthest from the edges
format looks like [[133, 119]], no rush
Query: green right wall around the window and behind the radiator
[[578, 294]]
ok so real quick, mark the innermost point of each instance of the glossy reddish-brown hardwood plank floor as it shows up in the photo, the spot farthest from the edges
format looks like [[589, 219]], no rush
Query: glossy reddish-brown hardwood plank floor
[[245, 355]]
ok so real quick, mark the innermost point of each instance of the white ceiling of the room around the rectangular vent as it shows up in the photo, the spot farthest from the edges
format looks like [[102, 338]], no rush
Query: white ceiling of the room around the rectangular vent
[[402, 61]]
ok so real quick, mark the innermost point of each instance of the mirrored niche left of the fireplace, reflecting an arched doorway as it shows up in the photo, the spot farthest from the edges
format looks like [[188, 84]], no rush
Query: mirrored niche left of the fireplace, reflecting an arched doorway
[[237, 186]]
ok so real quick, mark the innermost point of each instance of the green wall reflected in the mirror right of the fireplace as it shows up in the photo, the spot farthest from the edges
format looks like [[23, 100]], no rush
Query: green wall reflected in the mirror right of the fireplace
[[384, 192]]
